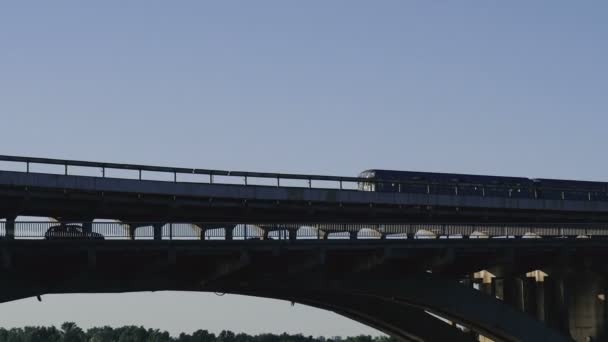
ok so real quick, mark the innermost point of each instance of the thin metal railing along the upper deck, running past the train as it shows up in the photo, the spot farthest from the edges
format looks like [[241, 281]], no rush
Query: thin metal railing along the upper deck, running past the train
[[246, 178]]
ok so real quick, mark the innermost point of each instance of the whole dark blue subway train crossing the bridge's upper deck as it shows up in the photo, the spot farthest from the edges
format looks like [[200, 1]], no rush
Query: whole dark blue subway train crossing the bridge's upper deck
[[480, 185]]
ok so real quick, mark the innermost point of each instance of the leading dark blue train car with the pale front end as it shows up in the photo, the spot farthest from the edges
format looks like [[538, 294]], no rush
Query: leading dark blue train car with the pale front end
[[446, 183]]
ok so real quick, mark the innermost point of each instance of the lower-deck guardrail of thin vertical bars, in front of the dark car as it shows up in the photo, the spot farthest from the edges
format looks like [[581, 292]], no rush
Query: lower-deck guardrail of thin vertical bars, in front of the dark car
[[290, 231]]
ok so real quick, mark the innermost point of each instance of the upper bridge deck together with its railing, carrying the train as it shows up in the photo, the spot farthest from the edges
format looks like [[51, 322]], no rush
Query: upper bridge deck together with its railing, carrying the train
[[88, 190]]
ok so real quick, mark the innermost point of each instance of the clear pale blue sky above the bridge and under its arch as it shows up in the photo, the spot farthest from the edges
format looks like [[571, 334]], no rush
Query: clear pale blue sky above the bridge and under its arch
[[331, 87]]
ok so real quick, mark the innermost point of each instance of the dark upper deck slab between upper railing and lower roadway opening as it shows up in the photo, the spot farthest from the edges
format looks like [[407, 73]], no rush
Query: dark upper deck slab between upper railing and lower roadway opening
[[146, 200]]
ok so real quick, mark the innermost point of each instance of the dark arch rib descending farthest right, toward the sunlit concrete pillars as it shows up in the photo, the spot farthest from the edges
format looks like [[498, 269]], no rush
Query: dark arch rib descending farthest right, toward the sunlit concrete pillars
[[449, 299]]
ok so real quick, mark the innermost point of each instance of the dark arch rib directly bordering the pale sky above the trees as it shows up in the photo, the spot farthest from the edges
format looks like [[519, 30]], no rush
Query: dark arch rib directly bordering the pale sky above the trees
[[400, 321]]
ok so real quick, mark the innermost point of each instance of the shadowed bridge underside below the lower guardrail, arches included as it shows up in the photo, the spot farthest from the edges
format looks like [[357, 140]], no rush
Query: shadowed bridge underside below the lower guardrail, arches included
[[393, 295]]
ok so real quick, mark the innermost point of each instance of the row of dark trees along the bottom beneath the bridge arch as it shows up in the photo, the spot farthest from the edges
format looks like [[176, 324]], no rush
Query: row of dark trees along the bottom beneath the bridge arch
[[70, 332]]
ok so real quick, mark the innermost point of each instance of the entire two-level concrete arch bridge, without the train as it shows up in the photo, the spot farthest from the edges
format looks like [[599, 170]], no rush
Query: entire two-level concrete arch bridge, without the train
[[420, 267]]
